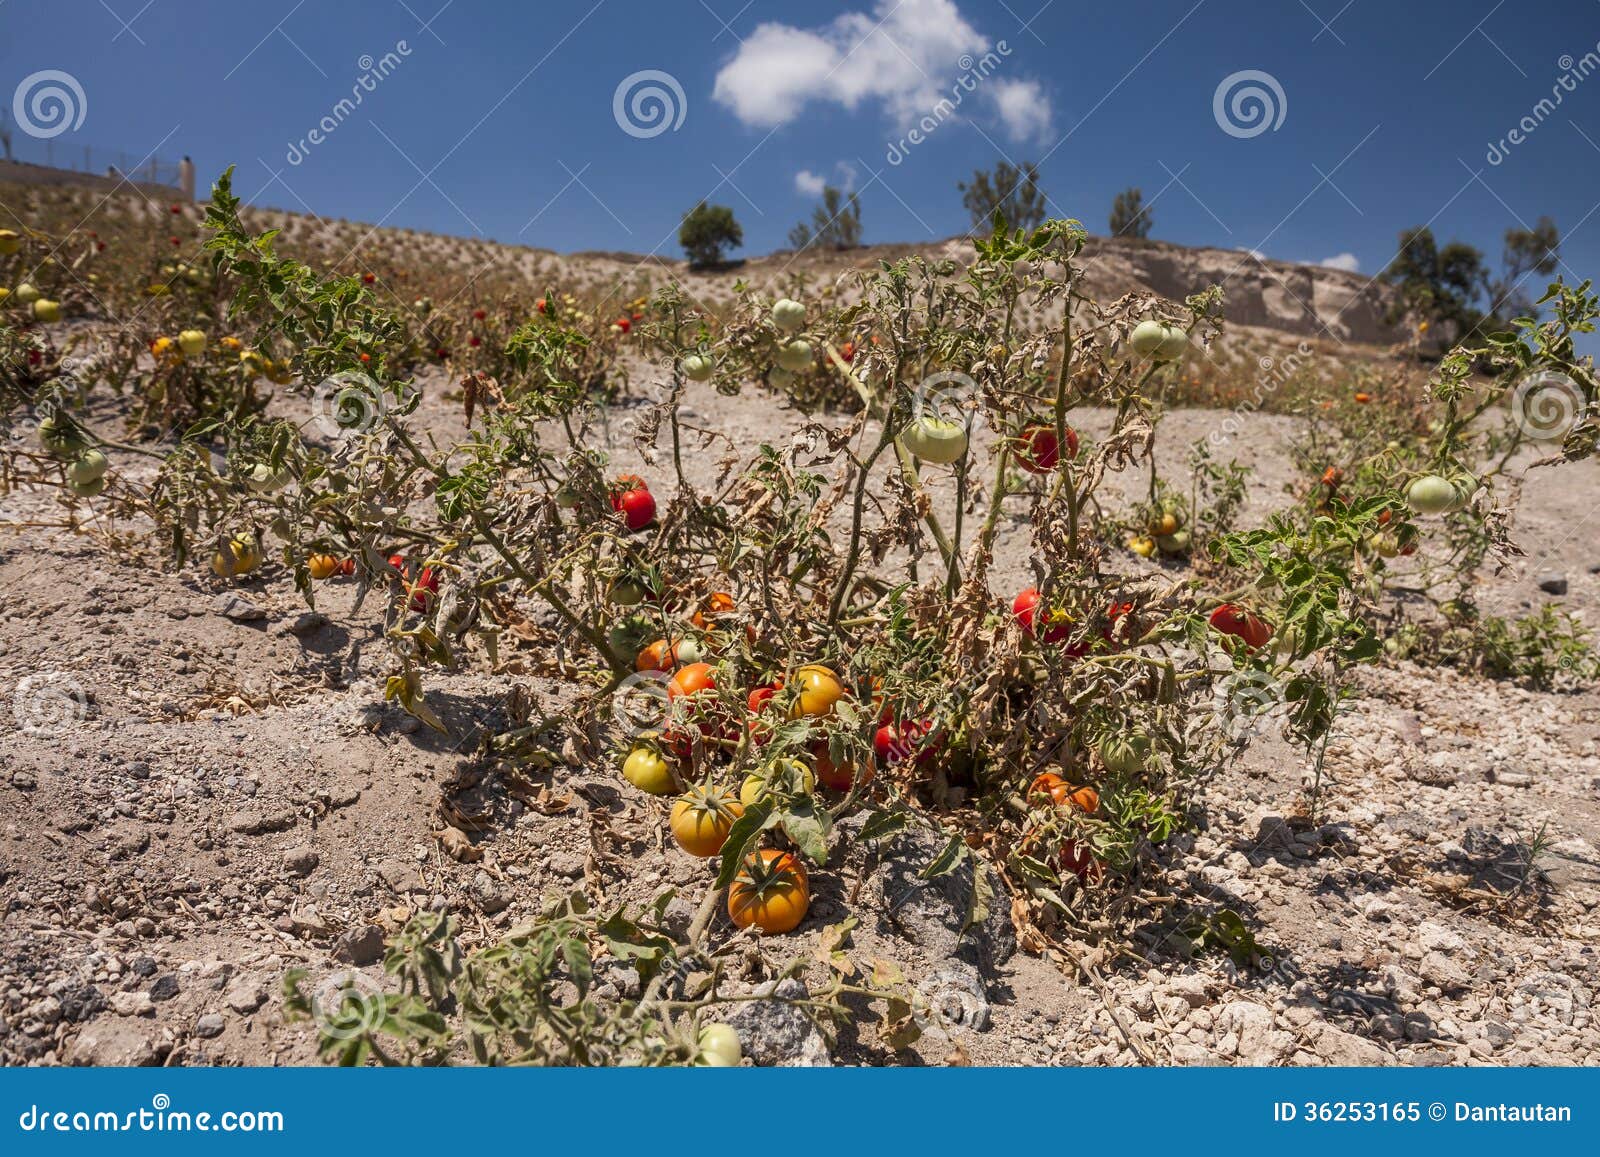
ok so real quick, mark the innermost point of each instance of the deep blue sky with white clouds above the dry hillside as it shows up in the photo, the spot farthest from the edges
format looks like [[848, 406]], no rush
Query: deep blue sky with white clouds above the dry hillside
[[498, 118]]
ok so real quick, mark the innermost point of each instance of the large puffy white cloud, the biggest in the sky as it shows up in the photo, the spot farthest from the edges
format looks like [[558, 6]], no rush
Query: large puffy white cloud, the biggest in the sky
[[906, 57]]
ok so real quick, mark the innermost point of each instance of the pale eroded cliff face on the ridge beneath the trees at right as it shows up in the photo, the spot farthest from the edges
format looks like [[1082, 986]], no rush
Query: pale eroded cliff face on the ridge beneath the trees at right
[[1274, 295]]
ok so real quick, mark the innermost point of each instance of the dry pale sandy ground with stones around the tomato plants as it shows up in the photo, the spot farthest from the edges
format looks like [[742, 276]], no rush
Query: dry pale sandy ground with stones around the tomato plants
[[233, 799]]
